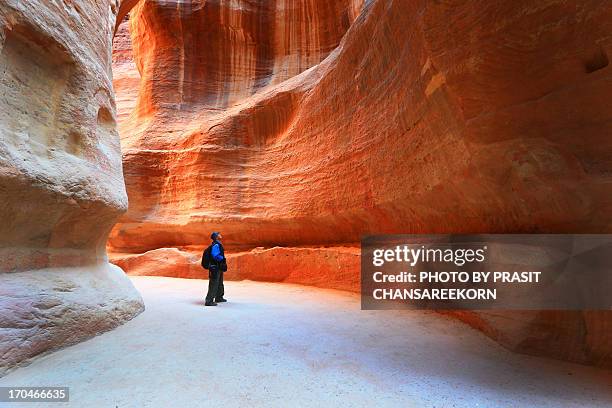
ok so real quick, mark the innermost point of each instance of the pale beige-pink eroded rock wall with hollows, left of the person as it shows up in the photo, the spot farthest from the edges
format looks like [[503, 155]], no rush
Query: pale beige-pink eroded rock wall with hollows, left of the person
[[61, 183]]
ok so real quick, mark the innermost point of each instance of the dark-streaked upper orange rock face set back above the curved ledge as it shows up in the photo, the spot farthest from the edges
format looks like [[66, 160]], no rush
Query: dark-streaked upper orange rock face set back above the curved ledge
[[264, 43]]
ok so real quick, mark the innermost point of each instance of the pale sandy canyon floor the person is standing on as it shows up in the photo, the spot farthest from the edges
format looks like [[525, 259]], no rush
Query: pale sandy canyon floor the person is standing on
[[279, 345]]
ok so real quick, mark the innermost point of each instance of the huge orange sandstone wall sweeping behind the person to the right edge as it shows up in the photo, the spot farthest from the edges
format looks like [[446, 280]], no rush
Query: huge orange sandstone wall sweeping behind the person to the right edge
[[299, 126]]
